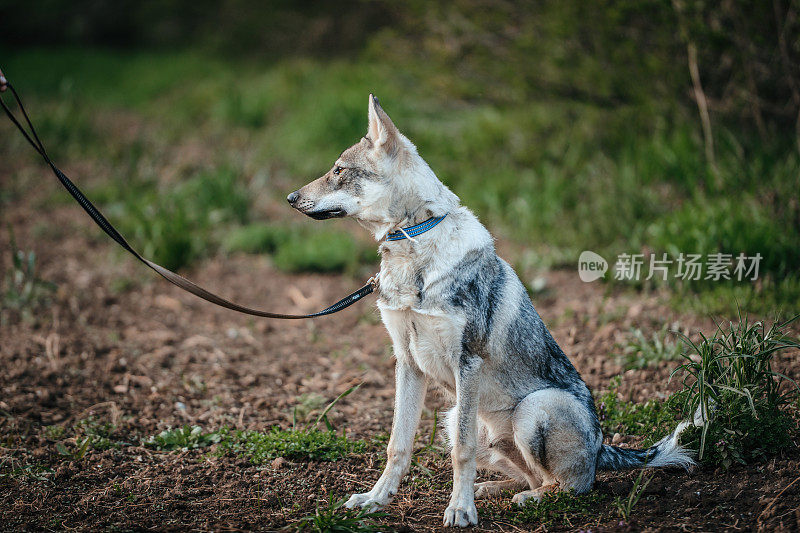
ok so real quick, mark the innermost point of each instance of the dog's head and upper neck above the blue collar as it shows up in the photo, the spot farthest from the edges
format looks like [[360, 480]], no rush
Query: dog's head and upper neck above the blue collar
[[380, 181]]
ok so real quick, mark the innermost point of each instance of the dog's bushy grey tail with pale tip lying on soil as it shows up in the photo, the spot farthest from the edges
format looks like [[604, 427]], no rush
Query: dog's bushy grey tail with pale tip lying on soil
[[666, 452]]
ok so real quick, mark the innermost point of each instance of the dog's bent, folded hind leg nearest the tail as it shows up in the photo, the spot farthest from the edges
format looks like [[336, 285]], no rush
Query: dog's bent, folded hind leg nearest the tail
[[556, 435]]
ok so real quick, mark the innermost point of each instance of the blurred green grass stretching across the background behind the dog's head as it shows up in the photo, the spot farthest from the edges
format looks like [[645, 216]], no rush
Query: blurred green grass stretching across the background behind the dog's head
[[555, 176]]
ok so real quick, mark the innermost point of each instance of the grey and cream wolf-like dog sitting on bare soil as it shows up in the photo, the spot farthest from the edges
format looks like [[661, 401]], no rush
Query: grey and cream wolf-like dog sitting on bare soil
[[458, 315]]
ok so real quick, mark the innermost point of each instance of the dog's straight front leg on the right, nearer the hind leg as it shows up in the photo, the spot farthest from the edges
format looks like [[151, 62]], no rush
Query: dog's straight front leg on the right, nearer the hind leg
[[461, 511]]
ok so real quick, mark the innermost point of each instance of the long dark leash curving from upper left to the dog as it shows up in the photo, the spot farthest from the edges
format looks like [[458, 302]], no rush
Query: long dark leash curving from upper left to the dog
[[105, 225]]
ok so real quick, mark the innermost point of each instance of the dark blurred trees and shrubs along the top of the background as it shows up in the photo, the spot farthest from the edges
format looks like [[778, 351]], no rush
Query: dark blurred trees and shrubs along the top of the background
[[745, 55]]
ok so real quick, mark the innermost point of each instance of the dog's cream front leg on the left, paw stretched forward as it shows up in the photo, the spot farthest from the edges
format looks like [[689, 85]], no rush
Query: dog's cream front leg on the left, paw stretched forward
[[410, 385]]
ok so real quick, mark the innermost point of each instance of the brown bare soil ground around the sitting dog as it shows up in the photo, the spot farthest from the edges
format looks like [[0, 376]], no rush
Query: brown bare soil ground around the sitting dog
[[145, 356]]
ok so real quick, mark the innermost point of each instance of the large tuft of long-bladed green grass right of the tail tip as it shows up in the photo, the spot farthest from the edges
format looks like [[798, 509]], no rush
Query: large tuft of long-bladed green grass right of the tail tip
[[740, 403]]
